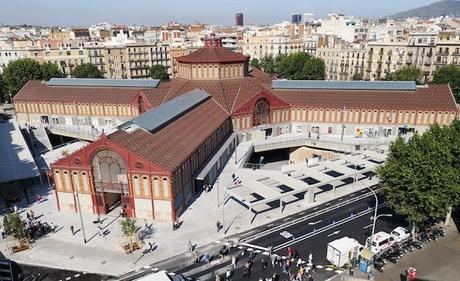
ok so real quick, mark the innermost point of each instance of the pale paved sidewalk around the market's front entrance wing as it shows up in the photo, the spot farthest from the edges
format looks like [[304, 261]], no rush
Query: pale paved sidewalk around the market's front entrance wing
[[104, 255]]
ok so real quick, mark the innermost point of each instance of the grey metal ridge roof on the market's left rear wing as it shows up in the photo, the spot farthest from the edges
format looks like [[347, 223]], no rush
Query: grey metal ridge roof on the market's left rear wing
[[79, 82]]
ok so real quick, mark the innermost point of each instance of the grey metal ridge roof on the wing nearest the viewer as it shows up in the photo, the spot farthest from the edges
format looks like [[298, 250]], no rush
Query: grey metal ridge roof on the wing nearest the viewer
[[167, 112]]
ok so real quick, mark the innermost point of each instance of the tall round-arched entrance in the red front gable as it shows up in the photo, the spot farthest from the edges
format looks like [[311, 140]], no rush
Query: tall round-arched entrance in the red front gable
[[110, 181]]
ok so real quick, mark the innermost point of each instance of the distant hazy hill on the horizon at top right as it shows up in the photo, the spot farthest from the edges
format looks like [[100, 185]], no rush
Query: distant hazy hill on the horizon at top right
[[437, 9]]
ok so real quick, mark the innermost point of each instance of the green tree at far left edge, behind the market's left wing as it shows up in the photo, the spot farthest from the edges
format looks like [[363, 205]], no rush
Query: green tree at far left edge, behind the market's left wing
[[18, 73]]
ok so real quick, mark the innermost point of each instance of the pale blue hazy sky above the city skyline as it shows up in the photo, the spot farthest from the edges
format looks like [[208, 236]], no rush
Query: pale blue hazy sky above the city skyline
[[155, 12]]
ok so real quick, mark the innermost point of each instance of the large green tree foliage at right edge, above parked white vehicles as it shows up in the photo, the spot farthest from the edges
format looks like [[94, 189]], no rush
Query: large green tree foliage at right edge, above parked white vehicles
[[421, 178]]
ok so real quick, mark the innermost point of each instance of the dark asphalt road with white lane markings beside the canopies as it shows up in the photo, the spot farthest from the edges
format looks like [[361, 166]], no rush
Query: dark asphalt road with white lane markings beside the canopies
[[308, 232]]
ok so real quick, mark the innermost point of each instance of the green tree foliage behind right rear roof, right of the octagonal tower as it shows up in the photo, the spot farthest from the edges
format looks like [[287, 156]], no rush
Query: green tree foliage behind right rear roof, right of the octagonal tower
[[301, 66]]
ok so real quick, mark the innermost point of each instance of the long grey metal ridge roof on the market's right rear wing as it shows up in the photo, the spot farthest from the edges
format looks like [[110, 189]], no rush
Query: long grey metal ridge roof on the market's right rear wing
[[345, 85]]
